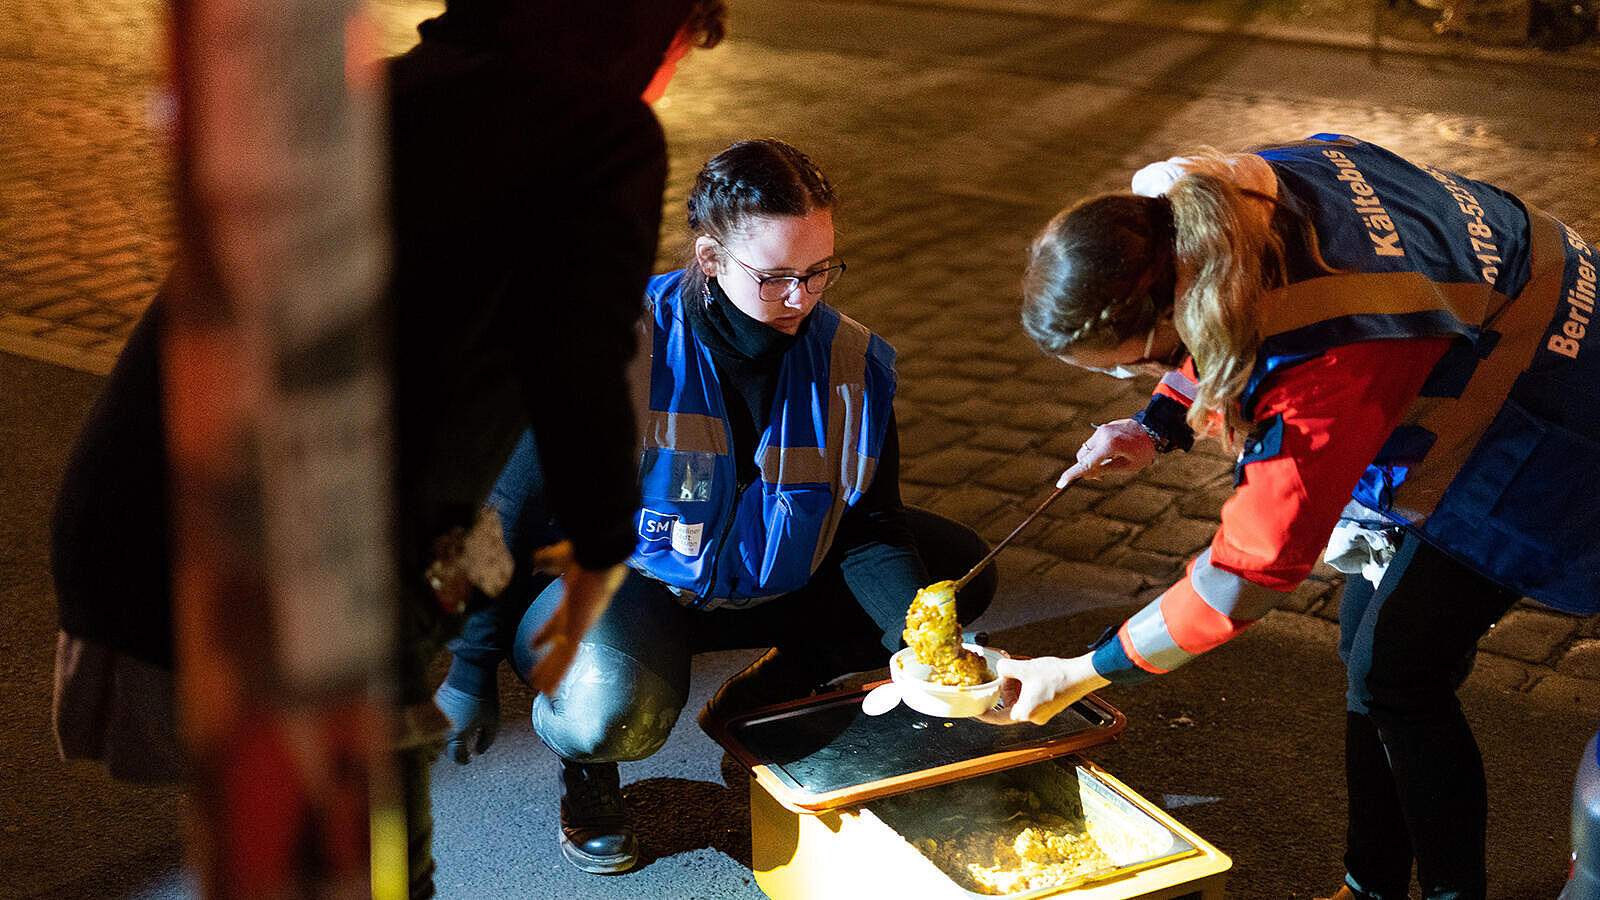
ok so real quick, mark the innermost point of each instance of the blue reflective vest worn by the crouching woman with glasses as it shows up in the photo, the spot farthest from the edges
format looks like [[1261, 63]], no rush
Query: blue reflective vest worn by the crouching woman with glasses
[[735, 545]]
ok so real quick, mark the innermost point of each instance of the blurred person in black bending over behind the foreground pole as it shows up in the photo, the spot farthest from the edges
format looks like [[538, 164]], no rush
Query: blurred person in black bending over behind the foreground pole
[[527, 179]]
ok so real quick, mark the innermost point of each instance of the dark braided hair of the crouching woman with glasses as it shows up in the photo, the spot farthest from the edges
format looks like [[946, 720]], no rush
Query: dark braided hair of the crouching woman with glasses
[[761, 179]]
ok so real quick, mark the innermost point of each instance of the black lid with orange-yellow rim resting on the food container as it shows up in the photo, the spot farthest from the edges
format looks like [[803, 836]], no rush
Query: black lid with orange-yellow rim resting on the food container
[[823, 753]]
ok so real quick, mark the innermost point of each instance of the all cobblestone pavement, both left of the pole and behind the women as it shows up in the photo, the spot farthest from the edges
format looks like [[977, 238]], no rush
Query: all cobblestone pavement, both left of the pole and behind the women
[[951, 148]]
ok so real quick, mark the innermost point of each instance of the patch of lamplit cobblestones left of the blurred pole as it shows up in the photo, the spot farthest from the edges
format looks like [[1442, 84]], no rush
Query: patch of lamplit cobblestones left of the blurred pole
[[84, 215]]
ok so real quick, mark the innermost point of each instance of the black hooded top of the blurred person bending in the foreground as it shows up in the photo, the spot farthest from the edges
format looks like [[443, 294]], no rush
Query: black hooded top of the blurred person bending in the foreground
[[527, 183]]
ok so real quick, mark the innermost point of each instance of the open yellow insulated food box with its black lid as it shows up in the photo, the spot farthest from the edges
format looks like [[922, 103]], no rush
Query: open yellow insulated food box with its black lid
[[846, 806]]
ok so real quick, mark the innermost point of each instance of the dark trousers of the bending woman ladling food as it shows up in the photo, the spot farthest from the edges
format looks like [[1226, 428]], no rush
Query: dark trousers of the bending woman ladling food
[[1414, 769]]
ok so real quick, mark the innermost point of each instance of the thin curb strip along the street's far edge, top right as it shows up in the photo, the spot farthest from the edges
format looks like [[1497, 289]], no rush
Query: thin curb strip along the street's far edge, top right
[[1143, 14]]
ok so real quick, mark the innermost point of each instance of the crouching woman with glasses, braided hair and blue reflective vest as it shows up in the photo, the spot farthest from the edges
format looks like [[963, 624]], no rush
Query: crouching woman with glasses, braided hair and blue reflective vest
[[770, 505]]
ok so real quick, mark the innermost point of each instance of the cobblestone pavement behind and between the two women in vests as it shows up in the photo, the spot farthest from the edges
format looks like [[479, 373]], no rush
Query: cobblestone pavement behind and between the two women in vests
[[966, 150]]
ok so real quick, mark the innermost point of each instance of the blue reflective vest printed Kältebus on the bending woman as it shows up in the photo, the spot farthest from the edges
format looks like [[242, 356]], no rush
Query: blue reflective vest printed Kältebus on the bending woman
[[1495, 460]]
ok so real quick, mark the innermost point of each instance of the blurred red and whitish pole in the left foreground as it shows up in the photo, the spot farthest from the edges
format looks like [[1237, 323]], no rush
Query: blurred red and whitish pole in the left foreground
[[278, 401]]
